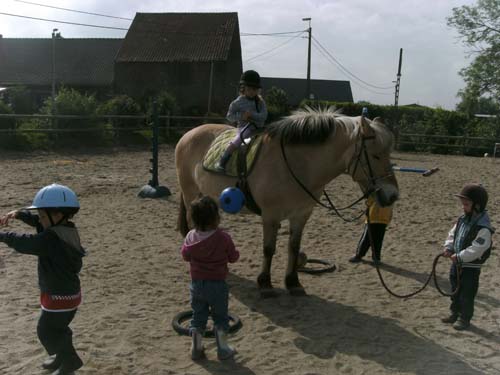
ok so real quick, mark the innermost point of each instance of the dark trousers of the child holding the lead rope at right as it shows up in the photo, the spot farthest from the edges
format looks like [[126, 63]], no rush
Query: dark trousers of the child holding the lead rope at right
[[462, 303]]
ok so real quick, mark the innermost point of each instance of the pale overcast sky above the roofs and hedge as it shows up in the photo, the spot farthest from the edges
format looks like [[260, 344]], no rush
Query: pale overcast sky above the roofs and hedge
[[364, 36]]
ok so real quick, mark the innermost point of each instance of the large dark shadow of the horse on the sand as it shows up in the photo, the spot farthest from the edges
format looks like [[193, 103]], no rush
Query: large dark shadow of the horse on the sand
[[327, 328]]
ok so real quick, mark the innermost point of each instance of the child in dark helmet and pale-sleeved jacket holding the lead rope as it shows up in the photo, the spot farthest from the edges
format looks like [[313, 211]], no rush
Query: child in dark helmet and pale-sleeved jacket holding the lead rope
[[468, 245]]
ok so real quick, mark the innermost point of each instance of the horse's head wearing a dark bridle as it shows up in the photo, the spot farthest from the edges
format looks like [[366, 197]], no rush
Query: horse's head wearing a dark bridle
[[370, 165]]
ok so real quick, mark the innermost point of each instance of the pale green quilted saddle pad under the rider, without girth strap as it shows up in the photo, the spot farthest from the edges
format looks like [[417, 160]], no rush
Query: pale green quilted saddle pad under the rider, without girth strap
[[218, 147]]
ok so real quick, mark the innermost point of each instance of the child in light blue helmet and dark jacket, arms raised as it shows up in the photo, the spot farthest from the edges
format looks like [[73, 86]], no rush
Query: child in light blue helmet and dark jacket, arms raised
[[57, 246]]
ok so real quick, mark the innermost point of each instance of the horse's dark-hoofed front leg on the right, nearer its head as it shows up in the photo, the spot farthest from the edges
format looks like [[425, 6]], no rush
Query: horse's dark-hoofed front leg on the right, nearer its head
[[292, 277]]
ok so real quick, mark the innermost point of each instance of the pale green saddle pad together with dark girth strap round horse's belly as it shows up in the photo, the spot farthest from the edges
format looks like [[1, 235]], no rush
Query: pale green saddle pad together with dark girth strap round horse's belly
[[239, 165]]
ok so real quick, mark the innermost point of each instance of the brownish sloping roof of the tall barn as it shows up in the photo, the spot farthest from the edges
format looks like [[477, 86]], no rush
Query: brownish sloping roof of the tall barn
[[179, 37]]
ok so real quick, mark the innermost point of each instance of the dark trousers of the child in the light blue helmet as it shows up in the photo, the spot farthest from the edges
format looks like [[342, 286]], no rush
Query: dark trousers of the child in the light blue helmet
[[54, 333]]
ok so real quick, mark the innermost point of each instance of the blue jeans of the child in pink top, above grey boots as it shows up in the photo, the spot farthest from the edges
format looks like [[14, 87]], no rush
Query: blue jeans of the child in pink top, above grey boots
[[209, 296]]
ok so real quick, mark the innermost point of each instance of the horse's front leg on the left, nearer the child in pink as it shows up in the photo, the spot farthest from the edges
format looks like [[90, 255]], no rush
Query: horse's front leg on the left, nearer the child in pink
[[264, 279]]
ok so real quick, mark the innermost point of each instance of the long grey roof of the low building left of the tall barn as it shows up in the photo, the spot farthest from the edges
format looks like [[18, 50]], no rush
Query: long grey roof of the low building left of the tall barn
[[87, 62]]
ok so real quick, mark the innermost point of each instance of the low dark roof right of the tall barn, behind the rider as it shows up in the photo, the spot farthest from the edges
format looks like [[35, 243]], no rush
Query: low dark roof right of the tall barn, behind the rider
[[322, 89]]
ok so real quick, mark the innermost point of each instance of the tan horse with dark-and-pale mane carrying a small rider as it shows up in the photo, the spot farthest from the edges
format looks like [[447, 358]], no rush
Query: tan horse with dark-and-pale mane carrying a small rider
[[300, 154]]
